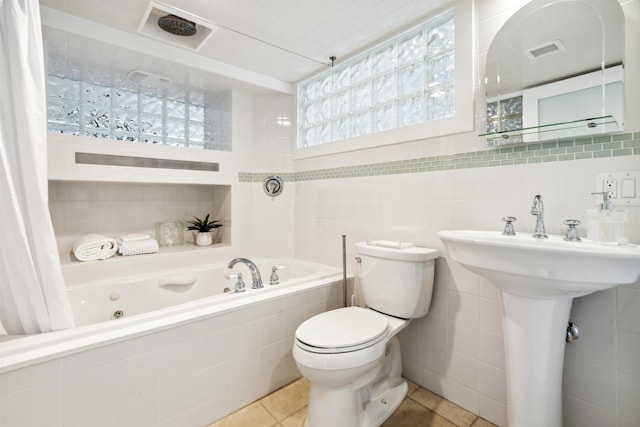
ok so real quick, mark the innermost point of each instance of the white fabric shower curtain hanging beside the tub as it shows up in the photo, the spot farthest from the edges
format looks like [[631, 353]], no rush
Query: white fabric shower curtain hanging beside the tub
[[32, 292]]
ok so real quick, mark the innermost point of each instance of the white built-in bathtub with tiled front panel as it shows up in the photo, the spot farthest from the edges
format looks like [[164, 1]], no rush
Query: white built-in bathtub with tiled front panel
[[171, 348]]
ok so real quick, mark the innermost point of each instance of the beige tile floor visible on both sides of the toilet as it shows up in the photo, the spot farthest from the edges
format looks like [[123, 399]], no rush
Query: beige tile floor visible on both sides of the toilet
[[287, 407]]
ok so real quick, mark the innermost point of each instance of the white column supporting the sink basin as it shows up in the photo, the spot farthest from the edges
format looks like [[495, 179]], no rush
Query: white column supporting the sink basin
[[534, 337]]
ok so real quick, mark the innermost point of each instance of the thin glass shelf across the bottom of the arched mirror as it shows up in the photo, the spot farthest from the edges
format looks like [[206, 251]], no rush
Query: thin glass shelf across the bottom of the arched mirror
[[569, 129]]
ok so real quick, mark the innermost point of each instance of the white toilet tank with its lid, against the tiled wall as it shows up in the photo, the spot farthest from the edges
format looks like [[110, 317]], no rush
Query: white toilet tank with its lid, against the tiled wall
[[396, 280]]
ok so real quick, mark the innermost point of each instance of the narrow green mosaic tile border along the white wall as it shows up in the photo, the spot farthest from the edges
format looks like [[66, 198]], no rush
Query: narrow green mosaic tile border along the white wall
[[624, 144]]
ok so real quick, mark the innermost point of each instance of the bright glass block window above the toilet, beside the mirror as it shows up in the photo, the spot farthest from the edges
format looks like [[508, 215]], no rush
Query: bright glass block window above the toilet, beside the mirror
[[404, 81]]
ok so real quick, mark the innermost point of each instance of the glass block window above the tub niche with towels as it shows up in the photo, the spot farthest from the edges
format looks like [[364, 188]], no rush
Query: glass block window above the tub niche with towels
[[82, 108]]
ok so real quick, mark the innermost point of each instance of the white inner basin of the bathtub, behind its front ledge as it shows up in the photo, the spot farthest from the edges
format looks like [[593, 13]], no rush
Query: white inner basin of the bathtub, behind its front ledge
[[110, 299]]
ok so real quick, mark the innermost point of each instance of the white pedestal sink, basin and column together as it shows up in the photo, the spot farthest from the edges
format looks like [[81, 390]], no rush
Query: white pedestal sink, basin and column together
[[537, 281]]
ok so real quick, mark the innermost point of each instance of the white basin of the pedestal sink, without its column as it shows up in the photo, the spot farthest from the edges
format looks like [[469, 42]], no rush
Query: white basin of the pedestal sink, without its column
[[543, 268]]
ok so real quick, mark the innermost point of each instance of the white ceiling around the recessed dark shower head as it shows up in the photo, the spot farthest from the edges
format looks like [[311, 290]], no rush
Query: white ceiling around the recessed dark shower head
[[262, 43]]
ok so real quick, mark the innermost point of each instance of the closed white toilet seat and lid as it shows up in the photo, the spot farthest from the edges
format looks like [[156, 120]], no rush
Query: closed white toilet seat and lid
[[343, 330]]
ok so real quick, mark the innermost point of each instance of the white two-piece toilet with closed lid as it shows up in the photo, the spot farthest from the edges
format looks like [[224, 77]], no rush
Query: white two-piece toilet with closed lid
[[351, 356]]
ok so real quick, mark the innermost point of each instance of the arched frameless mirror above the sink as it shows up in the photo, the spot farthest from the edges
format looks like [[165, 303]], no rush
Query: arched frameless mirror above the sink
[[555, 70]]
